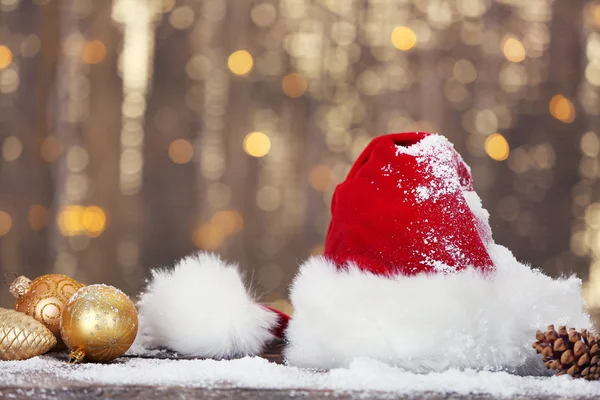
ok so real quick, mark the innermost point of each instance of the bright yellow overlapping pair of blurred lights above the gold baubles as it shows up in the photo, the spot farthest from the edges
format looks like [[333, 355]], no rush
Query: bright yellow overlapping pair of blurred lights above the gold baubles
[[76, 220]]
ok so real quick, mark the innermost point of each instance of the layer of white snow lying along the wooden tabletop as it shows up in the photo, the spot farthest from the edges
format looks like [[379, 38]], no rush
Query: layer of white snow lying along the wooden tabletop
[[362, 375]]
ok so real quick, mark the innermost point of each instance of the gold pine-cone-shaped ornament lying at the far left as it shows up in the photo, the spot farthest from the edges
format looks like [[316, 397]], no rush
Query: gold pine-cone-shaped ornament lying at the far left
[[22, 337]]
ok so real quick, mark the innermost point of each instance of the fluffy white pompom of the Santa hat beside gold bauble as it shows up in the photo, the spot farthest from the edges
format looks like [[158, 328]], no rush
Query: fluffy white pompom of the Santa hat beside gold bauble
[[201, 308]]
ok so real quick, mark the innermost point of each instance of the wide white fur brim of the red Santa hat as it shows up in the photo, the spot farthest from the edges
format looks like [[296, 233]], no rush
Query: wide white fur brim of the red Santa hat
[[427, 322]]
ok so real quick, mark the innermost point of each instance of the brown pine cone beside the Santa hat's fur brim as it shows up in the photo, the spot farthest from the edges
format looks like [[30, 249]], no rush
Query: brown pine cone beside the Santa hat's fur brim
[[574, 353]]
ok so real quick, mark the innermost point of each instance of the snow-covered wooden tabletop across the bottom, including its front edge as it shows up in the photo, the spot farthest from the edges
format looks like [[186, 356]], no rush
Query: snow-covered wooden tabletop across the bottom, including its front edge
[[254, 377]]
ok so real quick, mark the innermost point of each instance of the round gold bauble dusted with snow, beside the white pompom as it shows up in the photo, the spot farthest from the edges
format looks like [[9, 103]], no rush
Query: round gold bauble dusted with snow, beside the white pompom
[[99, 323]]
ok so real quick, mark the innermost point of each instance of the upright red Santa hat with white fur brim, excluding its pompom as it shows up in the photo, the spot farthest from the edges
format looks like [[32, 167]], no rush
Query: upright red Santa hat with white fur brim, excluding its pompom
[[411, 275]]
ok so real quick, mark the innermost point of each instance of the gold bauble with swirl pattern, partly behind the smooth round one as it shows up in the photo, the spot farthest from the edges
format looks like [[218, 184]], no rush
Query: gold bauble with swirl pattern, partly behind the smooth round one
[[44, 299]]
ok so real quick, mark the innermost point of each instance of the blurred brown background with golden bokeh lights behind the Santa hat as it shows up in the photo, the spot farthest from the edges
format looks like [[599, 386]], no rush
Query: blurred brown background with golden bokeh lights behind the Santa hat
[[134, 132]]
